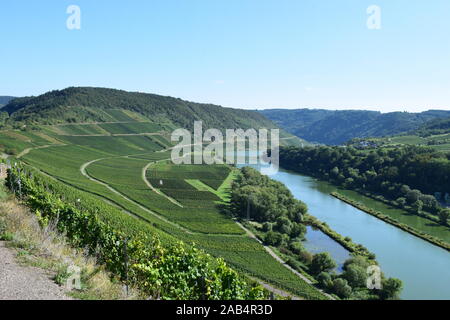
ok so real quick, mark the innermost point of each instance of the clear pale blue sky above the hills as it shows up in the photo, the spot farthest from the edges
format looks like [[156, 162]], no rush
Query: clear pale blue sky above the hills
[[236, 53]]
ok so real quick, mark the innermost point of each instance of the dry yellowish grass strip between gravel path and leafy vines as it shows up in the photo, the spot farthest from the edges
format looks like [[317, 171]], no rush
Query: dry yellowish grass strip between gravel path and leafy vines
[[46, 249]]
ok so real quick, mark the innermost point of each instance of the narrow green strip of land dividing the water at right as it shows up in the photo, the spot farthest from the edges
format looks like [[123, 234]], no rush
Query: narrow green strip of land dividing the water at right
[[391, 221]]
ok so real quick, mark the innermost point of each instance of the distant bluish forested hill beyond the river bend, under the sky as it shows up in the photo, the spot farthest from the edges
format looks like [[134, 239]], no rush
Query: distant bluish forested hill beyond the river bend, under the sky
[[336, 127]]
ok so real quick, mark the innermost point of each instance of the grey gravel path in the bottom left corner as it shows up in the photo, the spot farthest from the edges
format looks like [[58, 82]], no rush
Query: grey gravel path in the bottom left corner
[[25, 283]]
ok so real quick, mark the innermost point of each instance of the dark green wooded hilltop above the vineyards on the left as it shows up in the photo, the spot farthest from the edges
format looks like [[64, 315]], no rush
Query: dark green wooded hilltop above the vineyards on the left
[[86, 104]]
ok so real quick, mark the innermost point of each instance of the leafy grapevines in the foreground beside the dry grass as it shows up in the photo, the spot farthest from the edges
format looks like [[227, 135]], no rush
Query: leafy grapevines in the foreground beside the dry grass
[[167, 272]]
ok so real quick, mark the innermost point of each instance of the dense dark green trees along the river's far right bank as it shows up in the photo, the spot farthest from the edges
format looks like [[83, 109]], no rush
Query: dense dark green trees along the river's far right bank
[[413, 176]]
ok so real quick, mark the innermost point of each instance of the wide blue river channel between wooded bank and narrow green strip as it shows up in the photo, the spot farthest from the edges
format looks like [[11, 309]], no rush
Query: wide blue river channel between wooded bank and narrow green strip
[[423, 267]]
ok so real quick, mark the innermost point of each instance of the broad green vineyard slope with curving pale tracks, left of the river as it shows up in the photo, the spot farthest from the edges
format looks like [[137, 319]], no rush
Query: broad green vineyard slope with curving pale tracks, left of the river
[[129, 179]]
